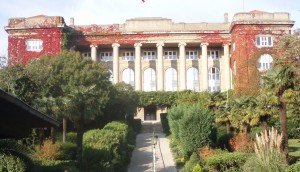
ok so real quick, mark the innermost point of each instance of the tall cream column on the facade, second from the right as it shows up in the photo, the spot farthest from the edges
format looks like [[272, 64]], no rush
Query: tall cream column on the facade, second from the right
[[204, 83]]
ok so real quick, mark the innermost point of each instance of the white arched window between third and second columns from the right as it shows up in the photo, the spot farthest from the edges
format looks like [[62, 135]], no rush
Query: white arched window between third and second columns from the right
[[192, 79]]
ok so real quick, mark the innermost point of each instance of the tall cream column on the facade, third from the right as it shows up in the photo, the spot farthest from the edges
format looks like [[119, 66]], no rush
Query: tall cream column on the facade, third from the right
[[182, 69]]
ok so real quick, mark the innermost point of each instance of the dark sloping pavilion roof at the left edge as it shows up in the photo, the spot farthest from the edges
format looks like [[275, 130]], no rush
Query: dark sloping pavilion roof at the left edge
[[18, 118]]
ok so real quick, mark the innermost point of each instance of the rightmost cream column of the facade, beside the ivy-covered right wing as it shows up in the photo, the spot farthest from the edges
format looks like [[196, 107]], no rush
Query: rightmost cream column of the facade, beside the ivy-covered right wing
[[226, 67]]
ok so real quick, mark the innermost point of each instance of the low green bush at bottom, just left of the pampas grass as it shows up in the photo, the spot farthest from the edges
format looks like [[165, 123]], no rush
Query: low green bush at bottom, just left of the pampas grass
[[227, 161]]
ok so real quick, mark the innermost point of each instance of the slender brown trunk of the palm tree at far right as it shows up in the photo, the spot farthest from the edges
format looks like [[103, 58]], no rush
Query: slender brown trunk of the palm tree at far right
[[283, 126]]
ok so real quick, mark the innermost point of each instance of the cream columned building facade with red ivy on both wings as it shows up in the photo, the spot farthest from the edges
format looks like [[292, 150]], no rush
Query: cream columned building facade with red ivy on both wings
[[155, 54]]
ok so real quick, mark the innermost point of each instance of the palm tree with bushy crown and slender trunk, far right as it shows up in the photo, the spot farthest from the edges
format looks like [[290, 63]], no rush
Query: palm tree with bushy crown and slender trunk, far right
[[279, 80]]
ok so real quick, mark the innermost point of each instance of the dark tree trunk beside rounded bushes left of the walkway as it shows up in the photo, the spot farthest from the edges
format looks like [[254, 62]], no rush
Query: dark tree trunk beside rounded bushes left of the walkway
[[79, 140]]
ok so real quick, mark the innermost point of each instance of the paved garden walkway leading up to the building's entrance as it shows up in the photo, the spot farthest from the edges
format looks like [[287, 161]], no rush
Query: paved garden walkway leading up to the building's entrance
[[142, 157]]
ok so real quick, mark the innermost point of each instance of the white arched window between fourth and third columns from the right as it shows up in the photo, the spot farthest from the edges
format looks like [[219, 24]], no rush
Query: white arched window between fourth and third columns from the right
[[171, 80]]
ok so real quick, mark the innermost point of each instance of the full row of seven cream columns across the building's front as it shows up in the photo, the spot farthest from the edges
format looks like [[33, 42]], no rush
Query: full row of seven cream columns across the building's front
[[160, 67]]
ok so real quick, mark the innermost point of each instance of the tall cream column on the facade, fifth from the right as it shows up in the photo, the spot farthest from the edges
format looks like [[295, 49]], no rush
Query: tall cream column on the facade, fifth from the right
[[137, 66]]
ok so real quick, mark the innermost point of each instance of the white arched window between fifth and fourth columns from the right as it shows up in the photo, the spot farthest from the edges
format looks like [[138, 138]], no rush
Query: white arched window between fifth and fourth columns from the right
[[149, 80]]
